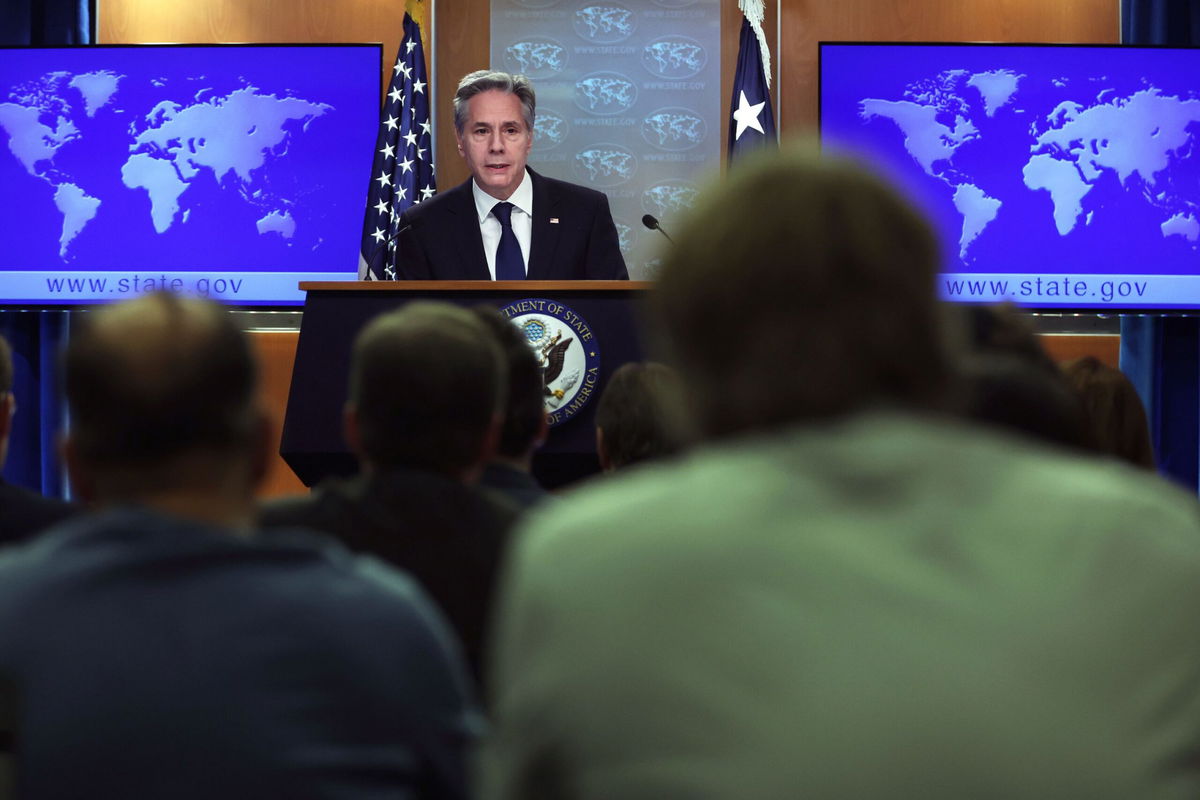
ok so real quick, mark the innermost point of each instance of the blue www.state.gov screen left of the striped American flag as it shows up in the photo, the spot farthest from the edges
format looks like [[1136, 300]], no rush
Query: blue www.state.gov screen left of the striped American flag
[[230, 171]]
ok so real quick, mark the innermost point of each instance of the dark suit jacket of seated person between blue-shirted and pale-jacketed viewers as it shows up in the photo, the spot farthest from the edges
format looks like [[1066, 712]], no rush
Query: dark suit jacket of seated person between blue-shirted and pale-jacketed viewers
[[451, 538]]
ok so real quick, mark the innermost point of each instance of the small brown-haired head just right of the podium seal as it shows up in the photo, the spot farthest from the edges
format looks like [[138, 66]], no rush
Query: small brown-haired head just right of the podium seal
[[639, 416]]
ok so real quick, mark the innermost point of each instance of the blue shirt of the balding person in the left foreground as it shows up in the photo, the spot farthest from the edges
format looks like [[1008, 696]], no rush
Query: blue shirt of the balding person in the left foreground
[[165, 658]]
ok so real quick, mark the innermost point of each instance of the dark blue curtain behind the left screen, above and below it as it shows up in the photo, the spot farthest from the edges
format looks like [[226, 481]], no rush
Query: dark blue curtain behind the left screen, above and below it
[[37, 335]]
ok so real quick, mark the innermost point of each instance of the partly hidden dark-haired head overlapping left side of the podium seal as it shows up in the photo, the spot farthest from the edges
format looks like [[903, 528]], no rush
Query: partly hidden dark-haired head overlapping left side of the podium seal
[[525, 408]]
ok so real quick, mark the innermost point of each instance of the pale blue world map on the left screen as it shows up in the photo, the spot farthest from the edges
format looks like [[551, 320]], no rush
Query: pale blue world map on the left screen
[[76, 137]]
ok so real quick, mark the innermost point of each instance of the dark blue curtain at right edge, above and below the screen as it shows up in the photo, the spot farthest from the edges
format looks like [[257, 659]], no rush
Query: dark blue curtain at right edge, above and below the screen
[[1162, 354]]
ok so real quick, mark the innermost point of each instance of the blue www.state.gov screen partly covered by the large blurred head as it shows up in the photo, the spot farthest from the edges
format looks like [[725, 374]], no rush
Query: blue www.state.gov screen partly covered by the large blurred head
[[1061, 177]]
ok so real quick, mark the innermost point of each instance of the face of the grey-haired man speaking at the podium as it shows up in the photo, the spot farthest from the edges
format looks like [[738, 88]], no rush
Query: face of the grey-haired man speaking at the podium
[[496, 142]]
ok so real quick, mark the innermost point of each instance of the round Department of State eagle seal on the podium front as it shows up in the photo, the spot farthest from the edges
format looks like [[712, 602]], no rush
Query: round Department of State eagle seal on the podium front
[[567, 352]]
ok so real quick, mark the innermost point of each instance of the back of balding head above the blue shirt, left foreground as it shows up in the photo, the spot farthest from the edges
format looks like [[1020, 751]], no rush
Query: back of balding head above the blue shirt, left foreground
[[155, 386]]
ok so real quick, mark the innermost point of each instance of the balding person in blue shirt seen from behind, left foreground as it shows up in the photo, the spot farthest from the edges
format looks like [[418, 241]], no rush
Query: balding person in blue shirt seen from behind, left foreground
[[164, 649]]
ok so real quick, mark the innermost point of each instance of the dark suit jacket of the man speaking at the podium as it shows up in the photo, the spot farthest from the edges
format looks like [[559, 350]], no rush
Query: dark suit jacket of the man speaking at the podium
[[443, 242]]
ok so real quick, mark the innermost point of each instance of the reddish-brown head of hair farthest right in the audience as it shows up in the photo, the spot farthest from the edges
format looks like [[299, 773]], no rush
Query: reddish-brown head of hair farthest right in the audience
[[1113, 410]]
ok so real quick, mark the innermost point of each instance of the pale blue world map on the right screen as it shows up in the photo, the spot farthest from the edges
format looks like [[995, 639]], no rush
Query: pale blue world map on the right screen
[[1099, 153]]
